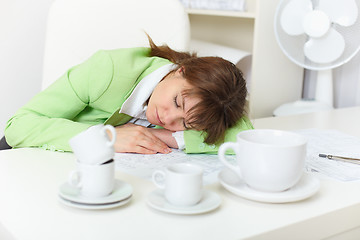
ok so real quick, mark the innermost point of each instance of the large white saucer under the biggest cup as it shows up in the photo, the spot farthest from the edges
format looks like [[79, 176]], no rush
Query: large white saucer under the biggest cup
[[307, 186]]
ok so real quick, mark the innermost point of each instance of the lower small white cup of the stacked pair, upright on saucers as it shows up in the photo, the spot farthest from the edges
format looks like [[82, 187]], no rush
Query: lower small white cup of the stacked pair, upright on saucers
[[93, 181]]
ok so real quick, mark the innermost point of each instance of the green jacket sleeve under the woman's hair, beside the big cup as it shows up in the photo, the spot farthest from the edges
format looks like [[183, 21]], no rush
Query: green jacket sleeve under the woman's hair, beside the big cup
[[194, 140]]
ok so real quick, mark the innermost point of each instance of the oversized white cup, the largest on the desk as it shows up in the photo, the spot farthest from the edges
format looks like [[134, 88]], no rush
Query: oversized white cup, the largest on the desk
[[267, 160]]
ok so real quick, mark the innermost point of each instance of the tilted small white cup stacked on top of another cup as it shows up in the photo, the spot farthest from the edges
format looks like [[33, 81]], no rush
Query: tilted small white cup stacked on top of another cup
[[93, 145]]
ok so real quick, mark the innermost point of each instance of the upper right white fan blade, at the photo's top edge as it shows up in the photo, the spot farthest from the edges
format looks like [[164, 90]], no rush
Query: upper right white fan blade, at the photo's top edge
[[342, 12]]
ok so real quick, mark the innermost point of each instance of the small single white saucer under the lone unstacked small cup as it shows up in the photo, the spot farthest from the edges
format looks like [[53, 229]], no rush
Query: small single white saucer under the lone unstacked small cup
[[209, 202]]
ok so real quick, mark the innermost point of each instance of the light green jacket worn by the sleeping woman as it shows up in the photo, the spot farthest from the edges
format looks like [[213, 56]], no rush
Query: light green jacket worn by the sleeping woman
[[88, 94]]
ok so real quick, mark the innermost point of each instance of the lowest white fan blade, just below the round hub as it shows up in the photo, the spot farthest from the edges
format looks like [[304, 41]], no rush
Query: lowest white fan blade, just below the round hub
[[325, 49]]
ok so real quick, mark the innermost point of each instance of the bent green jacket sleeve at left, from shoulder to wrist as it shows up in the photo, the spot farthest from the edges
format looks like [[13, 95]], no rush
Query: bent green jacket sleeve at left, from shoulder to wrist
[[46, 120]]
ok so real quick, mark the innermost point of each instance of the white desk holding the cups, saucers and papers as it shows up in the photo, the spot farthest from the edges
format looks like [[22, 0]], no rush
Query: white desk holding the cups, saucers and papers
[[29, 209]]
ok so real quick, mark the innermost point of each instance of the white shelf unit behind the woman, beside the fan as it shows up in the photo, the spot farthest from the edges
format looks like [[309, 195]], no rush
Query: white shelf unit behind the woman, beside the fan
[[275, 79]]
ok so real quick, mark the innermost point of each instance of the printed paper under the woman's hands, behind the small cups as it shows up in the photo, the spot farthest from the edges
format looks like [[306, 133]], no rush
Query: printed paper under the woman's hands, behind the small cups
[[144, 165]]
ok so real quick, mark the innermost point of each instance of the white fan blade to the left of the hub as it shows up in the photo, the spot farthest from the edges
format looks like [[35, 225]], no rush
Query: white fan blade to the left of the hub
[[292, 16]]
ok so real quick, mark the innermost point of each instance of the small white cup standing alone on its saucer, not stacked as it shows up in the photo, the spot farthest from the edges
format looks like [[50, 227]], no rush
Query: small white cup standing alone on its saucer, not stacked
[[182, 183]]
